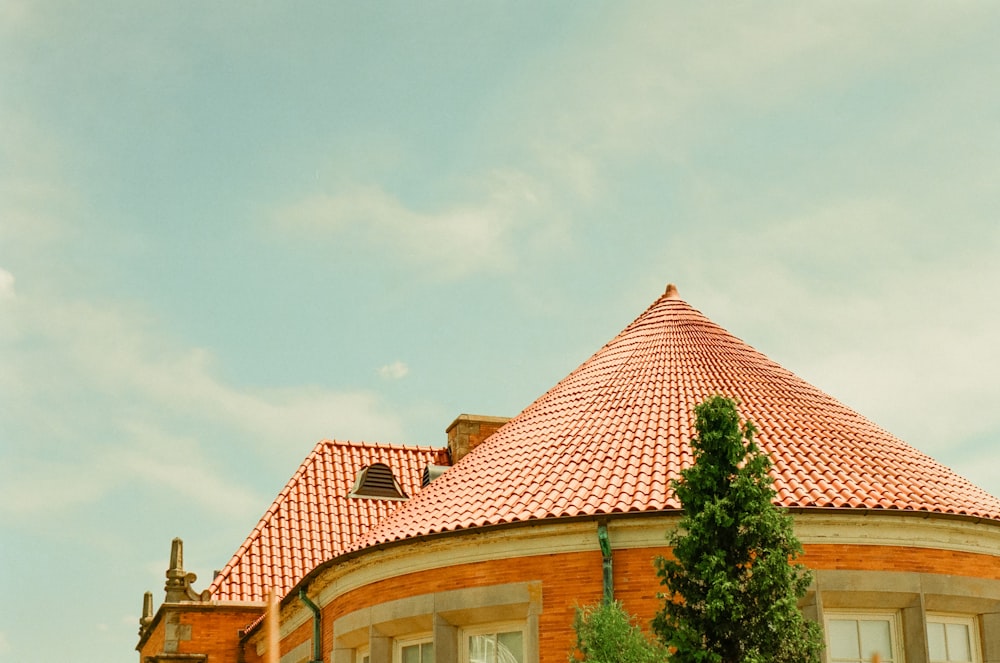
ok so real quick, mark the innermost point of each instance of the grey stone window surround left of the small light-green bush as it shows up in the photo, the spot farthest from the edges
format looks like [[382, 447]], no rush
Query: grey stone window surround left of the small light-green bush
[[443, 615]]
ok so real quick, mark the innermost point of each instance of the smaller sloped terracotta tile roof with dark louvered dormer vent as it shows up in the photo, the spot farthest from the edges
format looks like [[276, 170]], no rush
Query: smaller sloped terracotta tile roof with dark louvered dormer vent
[[313, 519]]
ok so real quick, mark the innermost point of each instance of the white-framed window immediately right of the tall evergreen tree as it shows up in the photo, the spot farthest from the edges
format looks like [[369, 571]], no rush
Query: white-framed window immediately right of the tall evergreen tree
[[858, 637]]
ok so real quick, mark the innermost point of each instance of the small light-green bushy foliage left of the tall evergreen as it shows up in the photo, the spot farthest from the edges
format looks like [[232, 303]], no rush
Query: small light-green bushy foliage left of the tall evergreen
[[605, 633]]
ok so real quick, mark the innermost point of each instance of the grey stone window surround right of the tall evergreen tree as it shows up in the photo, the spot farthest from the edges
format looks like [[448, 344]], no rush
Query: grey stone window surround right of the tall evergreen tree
[[913, 596]]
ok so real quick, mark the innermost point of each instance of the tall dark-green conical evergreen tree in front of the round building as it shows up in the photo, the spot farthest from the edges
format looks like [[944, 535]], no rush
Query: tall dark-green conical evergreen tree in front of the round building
[[732, 587]]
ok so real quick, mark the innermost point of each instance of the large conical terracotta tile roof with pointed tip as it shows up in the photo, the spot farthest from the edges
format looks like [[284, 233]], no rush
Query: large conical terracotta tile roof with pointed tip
[[609, 437]]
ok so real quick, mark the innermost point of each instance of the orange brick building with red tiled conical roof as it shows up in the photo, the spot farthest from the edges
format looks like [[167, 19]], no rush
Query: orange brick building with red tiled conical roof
[[481, 552]]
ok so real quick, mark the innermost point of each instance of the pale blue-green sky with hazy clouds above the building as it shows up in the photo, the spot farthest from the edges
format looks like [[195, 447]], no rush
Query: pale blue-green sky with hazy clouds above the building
[[229, 230]]
